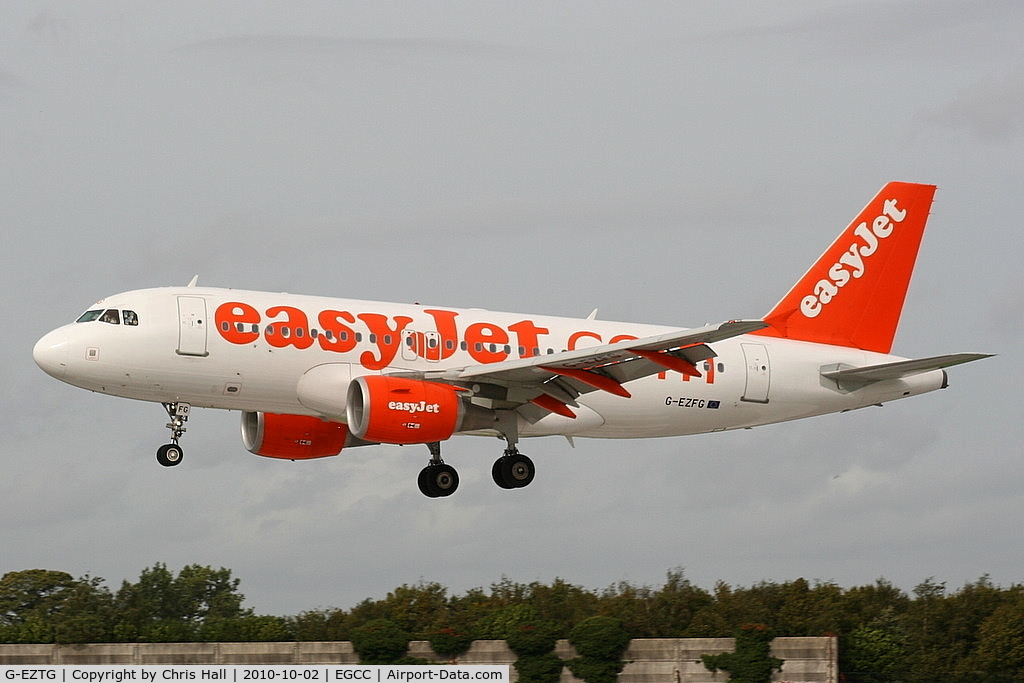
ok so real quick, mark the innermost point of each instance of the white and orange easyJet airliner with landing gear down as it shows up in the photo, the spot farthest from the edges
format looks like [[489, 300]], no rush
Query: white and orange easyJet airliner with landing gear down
[[315, 375]]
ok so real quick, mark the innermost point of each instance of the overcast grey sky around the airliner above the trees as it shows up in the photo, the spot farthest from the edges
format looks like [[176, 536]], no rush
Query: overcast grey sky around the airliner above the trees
[[664, 163]]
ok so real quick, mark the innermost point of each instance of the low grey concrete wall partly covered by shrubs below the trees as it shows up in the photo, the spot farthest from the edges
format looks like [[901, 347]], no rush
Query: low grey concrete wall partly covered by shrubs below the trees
[[651, 660]]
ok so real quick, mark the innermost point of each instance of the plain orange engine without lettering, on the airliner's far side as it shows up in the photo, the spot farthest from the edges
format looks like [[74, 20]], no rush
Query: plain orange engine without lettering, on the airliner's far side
[[292, 437]]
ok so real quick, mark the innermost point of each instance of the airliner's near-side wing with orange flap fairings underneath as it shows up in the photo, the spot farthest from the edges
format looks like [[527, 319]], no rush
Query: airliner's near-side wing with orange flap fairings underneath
[[552, 382]]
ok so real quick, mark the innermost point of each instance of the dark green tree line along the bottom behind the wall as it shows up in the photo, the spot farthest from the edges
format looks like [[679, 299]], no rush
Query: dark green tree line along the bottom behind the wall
[[973, 633]]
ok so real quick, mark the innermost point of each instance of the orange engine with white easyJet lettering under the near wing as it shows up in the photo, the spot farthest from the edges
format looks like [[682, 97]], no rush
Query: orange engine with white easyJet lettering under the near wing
[[396, 410]]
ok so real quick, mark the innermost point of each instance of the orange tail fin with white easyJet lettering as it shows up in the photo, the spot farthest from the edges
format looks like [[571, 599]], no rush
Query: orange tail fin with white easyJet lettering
[[855, 293]]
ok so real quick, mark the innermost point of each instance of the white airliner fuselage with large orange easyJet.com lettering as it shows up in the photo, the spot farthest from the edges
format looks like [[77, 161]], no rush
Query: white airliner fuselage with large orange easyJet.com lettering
[[754, 380]]
